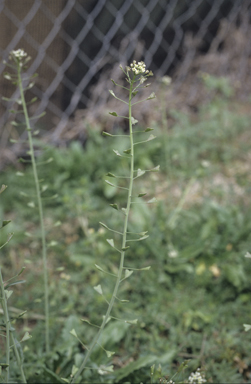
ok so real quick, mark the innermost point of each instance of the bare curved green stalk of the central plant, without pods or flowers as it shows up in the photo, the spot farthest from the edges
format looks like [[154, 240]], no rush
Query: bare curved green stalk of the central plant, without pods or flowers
[[124, 237]]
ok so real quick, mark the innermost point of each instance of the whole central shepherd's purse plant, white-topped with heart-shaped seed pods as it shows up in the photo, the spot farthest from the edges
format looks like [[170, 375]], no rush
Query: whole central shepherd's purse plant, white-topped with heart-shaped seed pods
[[136, 75]]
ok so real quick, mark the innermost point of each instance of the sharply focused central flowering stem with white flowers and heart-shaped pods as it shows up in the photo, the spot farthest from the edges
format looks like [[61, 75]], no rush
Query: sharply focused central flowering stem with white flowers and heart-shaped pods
[[136, 75]]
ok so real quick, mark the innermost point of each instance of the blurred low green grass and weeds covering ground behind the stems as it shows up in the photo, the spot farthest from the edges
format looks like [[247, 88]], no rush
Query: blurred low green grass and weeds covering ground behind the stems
[[191, 306]]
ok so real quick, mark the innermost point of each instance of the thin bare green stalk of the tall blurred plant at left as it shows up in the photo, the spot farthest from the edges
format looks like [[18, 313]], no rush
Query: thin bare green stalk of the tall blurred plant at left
[[40, 209]]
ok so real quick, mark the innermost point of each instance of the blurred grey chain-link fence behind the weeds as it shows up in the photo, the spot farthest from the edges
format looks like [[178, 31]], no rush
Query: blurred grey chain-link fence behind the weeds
[[74, 42]]
